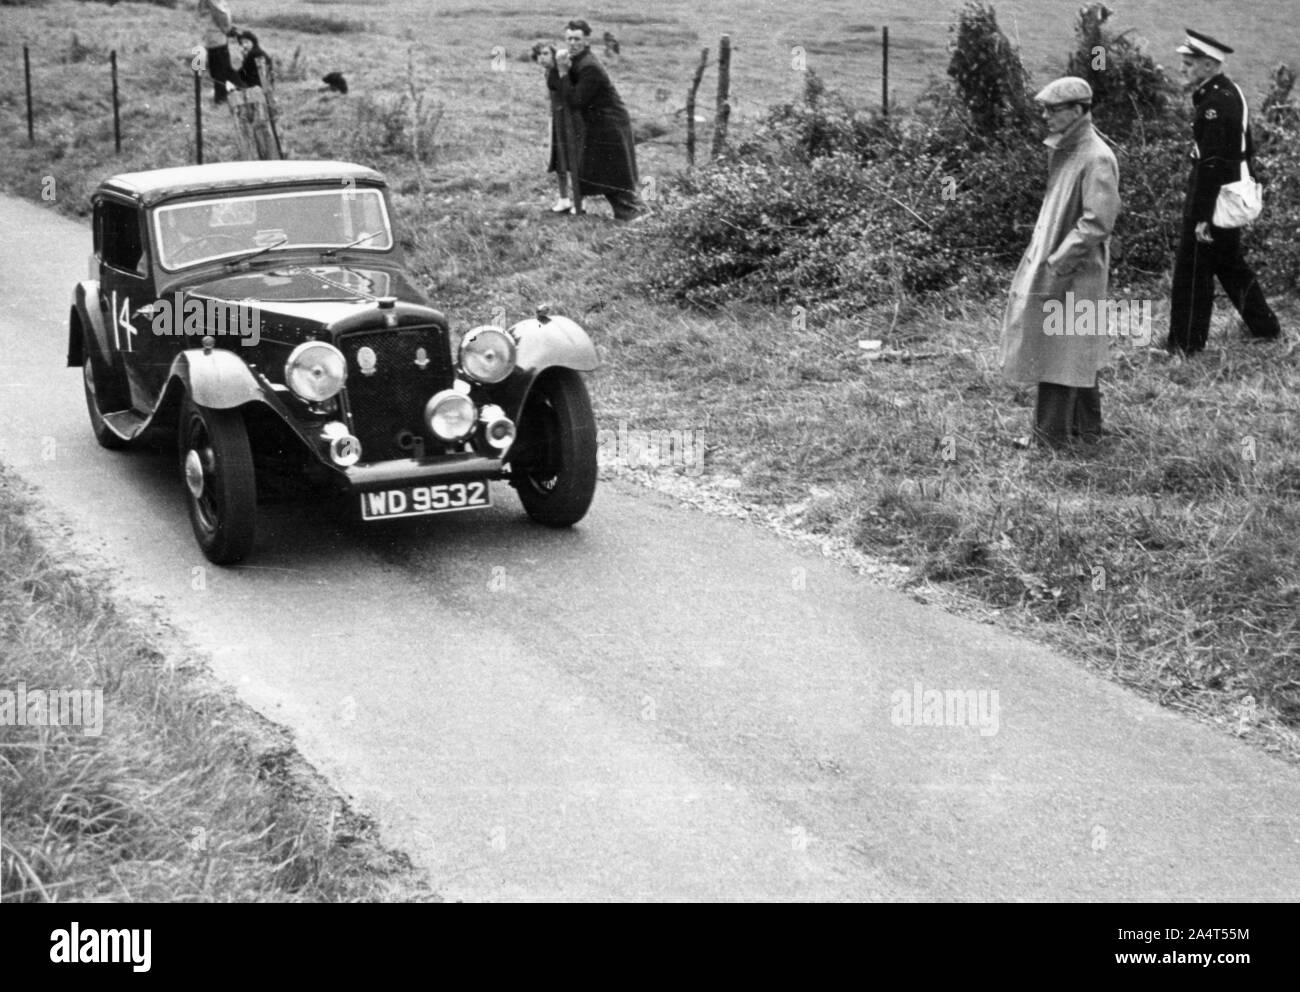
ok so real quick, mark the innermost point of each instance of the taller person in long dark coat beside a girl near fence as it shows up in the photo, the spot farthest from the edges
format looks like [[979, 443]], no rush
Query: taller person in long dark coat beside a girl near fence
[[608, 158]]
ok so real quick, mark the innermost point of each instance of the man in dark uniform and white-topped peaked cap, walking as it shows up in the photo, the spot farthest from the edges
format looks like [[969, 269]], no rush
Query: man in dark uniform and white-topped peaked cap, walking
[[1204, 250]]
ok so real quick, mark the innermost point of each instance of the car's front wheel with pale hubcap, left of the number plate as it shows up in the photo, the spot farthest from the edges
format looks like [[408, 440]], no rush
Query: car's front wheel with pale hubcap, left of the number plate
[[216, 463]]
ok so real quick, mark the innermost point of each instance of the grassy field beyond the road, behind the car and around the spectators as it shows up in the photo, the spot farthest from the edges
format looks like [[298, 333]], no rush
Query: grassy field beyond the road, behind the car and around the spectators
[[1169, 560]]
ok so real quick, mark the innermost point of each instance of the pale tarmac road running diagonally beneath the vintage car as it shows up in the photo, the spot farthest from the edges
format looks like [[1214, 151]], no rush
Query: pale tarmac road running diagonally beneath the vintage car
[[657, 705]]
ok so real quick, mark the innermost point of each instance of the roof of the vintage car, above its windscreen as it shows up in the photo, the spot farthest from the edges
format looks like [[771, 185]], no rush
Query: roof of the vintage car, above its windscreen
[[159, 185]]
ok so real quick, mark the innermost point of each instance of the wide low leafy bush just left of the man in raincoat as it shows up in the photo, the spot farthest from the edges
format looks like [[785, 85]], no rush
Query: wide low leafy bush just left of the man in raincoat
[[839, 210]]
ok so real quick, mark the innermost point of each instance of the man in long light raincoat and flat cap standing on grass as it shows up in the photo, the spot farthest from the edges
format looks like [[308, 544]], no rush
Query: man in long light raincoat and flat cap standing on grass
[[1056, 330]]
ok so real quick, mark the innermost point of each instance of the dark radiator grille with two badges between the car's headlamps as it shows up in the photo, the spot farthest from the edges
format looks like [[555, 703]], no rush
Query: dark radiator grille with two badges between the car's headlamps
[[388, 397]]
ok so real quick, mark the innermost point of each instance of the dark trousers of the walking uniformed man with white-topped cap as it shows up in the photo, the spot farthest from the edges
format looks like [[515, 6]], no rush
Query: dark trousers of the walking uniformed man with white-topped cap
[[1195, 270]]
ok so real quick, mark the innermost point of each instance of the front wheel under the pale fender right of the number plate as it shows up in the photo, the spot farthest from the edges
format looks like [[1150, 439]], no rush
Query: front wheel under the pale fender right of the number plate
[[553, 462]]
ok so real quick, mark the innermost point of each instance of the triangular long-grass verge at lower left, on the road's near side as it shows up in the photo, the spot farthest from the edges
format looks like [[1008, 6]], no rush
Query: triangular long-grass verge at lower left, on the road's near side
[[180, 794]]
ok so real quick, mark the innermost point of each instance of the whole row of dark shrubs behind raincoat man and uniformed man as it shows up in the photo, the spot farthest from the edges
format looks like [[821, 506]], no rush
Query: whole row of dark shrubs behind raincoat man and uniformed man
[[837, 209]]
